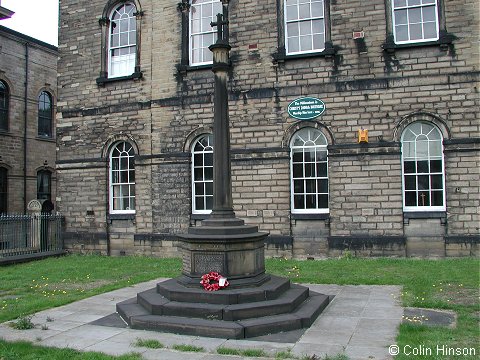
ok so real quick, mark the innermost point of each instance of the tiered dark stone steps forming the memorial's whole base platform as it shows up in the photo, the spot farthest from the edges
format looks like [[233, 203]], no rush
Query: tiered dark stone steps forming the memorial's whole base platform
[[274, 305]]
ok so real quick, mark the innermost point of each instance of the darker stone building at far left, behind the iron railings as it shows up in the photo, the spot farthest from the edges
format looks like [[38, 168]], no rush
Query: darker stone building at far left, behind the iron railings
[[28, 93]]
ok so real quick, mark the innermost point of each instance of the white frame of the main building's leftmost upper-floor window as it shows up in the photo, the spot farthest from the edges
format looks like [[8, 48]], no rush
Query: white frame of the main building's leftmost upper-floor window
[[128, 60]]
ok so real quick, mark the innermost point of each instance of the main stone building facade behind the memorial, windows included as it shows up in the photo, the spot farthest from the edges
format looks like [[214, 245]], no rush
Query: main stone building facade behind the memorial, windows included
[[135, 114]]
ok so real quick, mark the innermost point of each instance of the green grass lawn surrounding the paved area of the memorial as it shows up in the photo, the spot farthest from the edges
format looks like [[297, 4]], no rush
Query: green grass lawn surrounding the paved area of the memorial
[[443, 284]]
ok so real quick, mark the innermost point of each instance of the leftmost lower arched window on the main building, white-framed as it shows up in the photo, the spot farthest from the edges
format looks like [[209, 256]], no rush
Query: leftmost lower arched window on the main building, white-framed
[[122, 178]]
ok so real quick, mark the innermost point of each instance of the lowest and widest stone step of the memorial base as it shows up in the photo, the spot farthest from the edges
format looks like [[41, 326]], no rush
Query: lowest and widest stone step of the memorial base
[[303, 315]]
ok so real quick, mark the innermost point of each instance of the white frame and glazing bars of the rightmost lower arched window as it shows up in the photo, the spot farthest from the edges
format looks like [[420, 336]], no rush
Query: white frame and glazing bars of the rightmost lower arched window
[[416, 173]]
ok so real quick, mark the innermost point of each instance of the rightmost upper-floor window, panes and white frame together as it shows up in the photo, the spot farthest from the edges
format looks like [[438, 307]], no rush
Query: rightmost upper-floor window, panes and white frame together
[[415, 21]]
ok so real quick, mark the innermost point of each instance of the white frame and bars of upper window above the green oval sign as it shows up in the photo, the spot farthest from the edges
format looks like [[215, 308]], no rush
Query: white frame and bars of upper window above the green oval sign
[[298, 3]]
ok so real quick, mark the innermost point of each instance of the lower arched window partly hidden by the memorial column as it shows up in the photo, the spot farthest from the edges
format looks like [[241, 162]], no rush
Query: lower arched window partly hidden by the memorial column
[[202, 175]]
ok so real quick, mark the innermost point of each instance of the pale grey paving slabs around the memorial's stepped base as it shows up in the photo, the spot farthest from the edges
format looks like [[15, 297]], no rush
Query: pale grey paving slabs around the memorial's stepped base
[[361, 322]]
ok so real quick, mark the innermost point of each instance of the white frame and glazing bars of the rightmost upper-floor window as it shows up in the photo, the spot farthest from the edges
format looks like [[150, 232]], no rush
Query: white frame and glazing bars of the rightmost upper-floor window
[[408, 6]]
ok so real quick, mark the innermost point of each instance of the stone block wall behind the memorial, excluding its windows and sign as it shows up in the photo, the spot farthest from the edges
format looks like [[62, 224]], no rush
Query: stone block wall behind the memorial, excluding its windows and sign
[[363, 85]]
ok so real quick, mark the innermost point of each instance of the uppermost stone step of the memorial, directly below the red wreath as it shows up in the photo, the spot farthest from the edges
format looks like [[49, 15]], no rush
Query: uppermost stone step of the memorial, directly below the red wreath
[[173, 290]]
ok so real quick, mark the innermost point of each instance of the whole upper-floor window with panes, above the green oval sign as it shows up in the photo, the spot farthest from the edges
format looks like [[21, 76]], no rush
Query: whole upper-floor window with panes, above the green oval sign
[[304, 26]]
